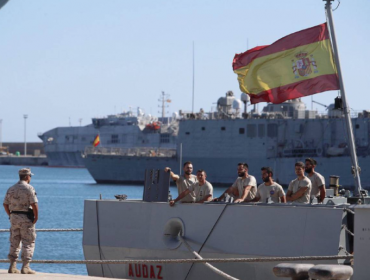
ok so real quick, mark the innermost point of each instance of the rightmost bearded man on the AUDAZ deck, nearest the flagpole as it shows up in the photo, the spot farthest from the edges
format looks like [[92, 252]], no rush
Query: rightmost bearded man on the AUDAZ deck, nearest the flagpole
[[317, 180]]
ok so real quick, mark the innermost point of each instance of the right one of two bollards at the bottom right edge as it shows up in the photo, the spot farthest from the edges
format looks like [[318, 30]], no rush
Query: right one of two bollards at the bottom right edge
[[331, 272]]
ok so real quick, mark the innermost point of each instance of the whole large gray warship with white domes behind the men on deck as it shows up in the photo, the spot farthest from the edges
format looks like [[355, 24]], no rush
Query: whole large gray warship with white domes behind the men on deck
[[278, 136]]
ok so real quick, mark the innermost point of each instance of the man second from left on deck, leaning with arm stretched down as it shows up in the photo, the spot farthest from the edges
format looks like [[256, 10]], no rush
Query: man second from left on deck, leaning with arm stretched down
[[202, 189]]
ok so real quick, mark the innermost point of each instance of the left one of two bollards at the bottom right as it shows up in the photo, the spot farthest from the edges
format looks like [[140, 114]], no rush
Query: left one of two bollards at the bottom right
[[296, 271]]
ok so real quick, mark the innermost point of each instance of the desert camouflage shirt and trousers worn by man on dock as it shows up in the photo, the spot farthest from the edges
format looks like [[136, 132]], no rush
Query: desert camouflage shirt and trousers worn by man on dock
[[19, 198]]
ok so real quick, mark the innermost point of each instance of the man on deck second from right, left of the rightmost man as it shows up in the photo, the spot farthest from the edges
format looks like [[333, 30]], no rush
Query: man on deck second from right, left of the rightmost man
[[299, 189]]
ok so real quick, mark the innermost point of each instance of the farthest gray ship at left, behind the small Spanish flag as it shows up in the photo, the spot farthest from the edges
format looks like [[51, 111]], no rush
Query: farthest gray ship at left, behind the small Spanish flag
[[64, 145]]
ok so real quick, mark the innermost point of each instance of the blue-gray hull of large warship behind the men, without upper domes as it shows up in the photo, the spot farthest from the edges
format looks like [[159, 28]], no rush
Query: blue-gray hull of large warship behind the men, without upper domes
[[218, 145]]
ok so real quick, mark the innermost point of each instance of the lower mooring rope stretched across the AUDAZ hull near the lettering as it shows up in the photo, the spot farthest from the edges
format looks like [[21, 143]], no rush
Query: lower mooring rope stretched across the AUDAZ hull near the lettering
[[209, 260]]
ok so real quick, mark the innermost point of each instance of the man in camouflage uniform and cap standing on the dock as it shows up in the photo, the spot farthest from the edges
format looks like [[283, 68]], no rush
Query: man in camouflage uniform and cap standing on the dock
[[18, 200]]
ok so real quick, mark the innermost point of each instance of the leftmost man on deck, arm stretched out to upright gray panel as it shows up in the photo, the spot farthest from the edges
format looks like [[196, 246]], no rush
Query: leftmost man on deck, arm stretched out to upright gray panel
[[184, 181]]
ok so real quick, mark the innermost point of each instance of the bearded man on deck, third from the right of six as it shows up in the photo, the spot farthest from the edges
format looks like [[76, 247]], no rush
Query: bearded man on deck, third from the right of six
[[269, 190]]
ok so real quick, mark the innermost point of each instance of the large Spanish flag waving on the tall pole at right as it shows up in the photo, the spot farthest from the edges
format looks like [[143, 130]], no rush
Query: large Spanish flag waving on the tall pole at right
[[297, 65]]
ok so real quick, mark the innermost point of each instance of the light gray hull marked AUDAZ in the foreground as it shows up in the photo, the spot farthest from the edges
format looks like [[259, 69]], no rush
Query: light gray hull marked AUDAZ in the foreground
[[129, 230]]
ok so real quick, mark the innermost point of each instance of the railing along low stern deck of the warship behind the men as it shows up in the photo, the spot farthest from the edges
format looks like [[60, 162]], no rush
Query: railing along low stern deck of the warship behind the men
[[134, 152]]
